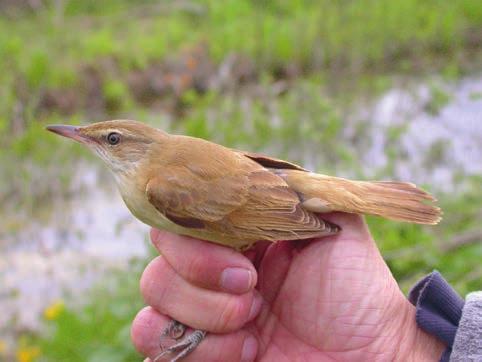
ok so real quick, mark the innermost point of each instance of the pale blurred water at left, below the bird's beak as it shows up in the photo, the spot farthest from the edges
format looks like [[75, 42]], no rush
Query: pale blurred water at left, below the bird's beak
[[86, 237]]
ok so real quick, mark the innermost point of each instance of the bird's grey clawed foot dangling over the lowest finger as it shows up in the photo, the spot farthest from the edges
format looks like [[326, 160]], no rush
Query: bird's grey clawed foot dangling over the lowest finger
[[184, 346]]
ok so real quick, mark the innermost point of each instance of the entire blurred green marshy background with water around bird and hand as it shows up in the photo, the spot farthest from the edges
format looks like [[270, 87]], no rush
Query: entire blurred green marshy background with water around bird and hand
[[365, 89]]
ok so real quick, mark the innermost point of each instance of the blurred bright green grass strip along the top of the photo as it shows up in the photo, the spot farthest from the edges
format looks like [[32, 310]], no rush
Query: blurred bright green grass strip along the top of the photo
[[52, 47]]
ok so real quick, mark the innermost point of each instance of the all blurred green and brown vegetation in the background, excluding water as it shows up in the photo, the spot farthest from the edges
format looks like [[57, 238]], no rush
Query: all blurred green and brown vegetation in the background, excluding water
[[272, 76]]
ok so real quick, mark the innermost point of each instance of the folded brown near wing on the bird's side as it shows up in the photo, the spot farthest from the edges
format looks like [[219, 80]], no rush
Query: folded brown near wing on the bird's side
[[247, 201]]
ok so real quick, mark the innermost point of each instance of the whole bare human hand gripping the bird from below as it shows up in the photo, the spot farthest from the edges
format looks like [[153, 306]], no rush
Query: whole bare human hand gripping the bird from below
[[327, 299]]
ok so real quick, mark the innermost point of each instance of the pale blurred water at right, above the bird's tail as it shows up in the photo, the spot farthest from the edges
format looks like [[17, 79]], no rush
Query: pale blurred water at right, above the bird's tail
[[456, 128]]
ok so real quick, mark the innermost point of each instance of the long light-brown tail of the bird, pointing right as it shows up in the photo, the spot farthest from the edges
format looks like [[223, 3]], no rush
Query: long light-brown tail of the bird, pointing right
[[390, 199]]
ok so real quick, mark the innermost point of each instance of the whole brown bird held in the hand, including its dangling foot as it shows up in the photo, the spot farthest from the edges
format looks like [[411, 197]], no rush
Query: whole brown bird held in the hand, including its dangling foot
[[194, 187]]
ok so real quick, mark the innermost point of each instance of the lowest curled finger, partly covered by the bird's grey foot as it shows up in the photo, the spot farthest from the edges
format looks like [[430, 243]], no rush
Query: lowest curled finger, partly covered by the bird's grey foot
[[149, 324]]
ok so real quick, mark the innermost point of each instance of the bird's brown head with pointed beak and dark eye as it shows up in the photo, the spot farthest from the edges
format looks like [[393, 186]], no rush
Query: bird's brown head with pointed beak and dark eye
[[122, 144]]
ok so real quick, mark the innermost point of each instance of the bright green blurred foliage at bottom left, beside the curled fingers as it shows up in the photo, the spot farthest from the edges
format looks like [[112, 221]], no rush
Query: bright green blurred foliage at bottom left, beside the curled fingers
[[101, 332]]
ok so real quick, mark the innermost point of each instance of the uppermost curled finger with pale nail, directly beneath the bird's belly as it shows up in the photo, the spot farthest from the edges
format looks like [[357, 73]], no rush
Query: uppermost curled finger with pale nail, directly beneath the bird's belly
[[206, 264]]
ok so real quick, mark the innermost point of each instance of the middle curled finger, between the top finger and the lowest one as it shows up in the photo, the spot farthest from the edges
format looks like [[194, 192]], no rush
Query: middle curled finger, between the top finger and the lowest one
[[199, 308]]
